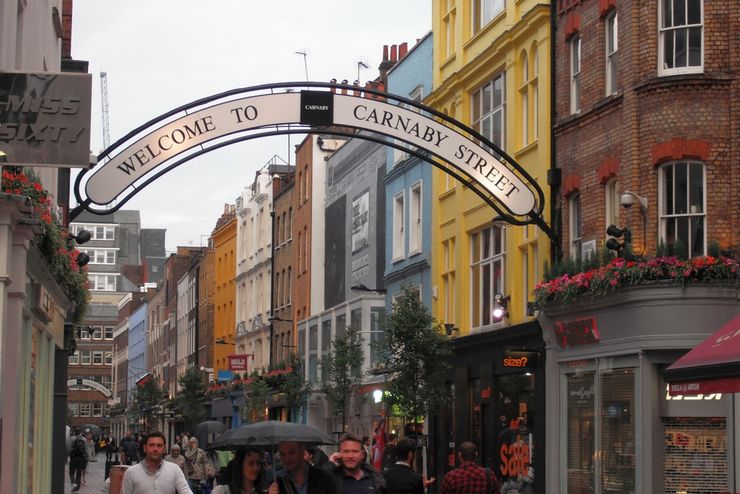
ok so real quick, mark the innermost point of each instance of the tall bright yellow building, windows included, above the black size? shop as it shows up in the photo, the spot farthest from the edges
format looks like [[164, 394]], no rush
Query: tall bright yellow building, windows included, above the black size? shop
[[491, 72]]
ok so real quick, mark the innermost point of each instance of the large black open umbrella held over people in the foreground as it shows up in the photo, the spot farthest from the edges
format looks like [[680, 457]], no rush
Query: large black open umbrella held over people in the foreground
[[270, 433]]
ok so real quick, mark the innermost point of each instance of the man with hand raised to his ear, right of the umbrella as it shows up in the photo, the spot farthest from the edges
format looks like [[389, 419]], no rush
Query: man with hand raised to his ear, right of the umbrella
[[351, 472]]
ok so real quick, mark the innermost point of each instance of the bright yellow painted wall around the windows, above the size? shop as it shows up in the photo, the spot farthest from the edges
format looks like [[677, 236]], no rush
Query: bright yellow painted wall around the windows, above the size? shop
[[465, 61]]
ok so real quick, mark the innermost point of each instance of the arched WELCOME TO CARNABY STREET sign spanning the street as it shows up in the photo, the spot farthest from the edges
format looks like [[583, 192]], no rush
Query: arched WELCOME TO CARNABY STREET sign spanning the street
[[287, 108]]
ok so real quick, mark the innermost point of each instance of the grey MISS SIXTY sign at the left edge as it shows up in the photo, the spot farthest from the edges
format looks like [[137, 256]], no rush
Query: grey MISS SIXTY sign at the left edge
[[45, 118]]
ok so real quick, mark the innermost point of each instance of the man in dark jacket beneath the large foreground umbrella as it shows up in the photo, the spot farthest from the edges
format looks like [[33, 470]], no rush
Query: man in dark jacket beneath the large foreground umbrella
[[300, 476]]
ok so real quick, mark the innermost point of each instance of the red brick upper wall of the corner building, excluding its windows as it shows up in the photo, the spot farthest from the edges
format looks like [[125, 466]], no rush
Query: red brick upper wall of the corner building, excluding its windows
[[652, 119]]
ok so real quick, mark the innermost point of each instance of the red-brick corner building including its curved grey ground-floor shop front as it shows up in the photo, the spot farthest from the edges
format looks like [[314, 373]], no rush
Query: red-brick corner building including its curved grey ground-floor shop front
[[646, 137]]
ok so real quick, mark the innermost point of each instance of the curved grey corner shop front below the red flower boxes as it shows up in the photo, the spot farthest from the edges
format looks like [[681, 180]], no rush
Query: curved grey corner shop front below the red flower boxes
[[612, 425]]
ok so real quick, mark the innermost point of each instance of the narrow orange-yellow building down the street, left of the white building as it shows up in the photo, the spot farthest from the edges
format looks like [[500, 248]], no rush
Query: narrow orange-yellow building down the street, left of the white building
[[224, 245]]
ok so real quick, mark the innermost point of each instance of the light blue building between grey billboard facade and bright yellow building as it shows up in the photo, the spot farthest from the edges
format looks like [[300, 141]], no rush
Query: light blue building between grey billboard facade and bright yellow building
[[408, 184]]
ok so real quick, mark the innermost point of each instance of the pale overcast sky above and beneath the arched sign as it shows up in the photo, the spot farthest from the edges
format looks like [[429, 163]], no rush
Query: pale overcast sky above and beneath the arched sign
[[162, 54]]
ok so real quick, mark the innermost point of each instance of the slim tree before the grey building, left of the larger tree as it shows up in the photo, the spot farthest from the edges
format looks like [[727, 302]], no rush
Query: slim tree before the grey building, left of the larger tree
[[342, 371]]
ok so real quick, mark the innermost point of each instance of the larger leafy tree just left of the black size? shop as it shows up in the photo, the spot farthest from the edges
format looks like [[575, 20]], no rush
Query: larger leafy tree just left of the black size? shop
[[416, 354]]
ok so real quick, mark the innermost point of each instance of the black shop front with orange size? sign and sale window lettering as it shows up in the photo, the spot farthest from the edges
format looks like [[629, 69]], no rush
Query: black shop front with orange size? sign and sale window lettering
[[499, 404]]
